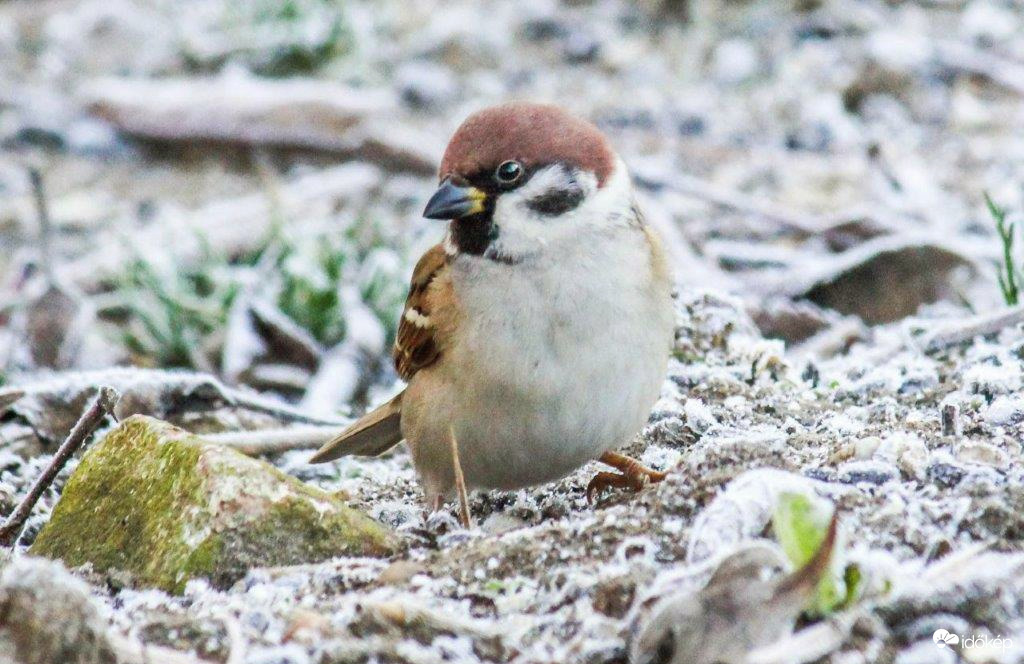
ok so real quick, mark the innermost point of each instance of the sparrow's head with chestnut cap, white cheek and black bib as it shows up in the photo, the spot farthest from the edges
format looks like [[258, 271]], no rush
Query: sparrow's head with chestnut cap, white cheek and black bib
[[519, 178]]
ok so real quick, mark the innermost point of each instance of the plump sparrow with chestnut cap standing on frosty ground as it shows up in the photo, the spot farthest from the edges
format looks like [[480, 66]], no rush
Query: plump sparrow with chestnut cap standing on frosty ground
[[537, 336]]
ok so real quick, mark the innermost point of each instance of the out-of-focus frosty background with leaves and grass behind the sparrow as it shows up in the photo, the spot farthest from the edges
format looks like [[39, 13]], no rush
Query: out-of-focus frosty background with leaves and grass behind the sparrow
[[236, 187]]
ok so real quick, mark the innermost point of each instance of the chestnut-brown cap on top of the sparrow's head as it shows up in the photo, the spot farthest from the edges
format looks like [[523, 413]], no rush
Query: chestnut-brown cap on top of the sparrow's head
[[533, 135]]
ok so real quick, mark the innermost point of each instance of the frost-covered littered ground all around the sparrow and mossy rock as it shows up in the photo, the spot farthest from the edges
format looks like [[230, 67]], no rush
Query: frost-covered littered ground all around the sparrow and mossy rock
[[818, 171]]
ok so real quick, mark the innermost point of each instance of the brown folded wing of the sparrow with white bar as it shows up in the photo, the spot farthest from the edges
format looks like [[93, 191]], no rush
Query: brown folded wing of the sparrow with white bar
[[416, 346]]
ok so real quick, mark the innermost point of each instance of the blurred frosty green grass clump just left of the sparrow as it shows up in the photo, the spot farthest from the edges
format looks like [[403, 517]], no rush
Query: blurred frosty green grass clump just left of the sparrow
[[176, 318]]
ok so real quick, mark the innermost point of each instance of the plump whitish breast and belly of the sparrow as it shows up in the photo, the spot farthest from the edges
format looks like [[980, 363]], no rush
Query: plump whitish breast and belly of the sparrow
[[568, 358]]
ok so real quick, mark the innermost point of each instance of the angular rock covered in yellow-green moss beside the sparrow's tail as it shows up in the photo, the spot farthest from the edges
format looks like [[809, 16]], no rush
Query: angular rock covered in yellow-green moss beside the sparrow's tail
[[162, 505]]
